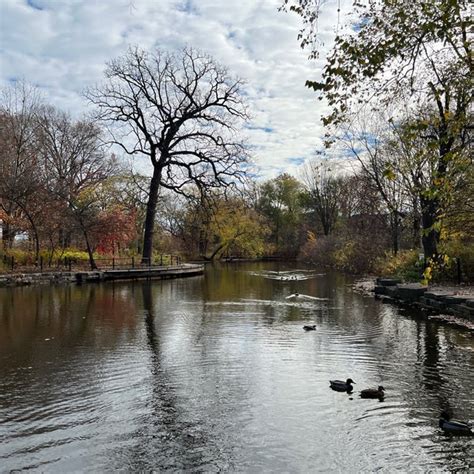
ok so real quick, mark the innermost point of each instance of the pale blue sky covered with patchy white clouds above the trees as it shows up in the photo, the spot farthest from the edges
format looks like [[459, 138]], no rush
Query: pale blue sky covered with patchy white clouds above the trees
[[61, 46]]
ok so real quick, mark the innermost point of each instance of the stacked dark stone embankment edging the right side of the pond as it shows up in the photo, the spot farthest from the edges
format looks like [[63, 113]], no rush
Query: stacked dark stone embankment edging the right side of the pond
[[439, 301]]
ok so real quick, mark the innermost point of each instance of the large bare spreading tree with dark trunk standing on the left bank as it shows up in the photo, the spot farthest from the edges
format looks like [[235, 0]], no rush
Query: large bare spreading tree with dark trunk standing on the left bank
[[179, 110]]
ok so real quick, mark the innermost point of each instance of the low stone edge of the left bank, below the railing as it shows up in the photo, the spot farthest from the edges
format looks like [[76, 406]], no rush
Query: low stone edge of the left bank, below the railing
[[49, 278]]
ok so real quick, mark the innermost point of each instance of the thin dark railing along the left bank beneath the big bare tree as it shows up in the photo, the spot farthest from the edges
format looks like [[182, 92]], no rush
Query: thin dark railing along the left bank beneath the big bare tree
[[10, 264]]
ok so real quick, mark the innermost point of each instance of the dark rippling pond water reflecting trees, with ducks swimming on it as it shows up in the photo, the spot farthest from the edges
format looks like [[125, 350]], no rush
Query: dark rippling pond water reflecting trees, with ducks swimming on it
[[215, 373]]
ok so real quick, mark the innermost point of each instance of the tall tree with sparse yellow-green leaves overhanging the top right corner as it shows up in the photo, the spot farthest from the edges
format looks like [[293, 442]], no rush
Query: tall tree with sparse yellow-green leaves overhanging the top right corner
[[394, 49]]
